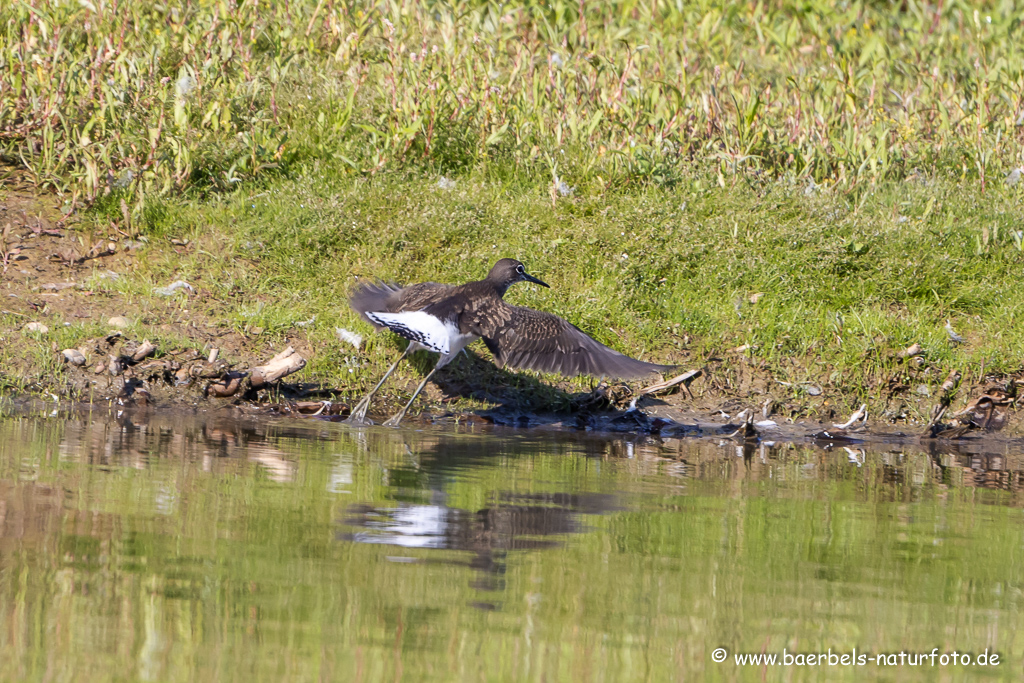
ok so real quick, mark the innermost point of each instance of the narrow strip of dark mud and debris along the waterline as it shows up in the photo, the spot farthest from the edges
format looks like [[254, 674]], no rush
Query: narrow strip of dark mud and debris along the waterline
[[126, 372]]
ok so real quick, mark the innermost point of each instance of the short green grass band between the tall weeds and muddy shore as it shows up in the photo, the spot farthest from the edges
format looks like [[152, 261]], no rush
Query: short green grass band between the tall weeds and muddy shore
[[845, 283]]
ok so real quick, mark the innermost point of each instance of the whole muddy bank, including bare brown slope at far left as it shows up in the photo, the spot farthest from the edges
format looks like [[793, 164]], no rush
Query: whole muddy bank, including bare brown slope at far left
[[68, 331]]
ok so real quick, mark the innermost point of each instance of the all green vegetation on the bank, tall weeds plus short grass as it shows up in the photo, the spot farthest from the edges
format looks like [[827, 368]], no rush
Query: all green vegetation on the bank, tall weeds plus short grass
[[659, 163]]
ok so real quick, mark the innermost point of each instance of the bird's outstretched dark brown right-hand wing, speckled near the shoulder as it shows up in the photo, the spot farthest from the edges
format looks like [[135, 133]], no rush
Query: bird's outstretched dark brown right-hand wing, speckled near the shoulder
[[531, 339]]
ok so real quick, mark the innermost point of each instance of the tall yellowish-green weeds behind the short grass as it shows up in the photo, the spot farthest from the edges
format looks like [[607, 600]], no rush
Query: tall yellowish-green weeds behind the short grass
[[131, 101]]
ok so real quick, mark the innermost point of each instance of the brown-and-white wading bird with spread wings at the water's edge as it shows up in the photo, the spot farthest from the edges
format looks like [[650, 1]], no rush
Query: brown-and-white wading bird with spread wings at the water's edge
[[447, 318]]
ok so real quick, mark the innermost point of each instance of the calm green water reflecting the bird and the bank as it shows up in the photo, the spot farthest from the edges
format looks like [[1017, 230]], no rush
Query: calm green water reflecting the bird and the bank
[[172, 548]]
